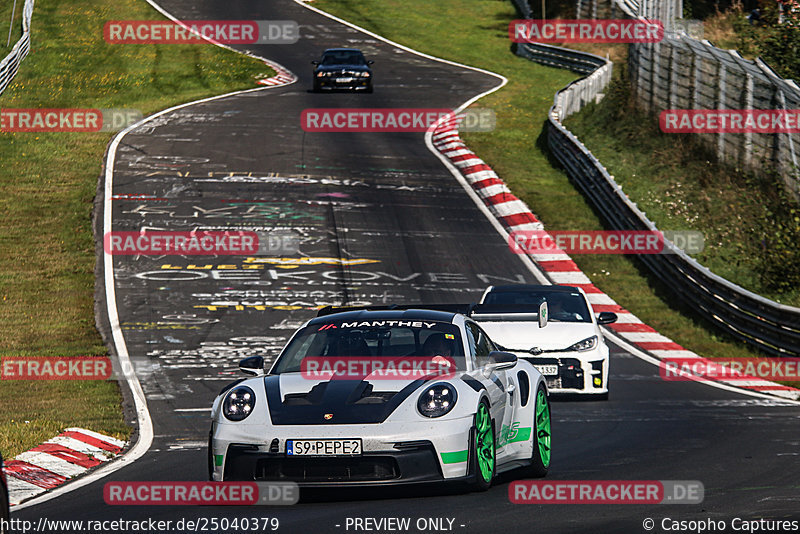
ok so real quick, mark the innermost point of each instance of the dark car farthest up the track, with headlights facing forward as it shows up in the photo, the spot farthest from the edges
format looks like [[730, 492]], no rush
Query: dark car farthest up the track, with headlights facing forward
[[342, 68]]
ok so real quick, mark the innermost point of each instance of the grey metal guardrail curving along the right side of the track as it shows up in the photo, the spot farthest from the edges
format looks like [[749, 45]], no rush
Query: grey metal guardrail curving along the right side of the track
[[774, 328]]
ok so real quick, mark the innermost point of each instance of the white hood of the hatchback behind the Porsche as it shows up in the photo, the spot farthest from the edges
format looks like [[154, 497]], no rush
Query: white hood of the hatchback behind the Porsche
[[522, 336]]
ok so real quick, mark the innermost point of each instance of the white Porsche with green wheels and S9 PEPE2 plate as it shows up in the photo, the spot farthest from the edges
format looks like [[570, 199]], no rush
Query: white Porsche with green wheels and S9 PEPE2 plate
[[383, 396]]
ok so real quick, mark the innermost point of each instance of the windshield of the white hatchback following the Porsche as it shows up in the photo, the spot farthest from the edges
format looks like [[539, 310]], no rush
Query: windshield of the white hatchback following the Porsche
[[562, 305]]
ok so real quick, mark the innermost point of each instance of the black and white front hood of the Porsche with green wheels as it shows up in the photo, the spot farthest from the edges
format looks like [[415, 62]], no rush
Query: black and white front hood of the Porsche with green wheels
[[297, 400]]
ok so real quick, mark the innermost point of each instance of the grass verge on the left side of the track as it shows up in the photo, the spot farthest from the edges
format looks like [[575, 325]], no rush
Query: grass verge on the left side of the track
[[47, 254]]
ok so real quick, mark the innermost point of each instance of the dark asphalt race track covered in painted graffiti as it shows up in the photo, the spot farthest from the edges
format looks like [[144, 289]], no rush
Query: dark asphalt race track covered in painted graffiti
[[401, 228]]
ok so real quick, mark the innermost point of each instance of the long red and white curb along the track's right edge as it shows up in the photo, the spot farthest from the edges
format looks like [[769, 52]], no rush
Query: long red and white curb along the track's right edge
[[559, 268]]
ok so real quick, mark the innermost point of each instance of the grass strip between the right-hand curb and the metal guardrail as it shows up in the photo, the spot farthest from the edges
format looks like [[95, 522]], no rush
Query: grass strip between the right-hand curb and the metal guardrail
[[474, 32]]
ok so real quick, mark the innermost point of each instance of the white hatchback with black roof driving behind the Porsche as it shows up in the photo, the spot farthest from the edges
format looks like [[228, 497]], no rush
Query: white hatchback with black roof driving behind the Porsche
[[565, 342]]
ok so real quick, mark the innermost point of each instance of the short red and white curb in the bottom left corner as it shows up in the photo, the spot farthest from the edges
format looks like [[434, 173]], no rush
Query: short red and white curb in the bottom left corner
[[68, 455]]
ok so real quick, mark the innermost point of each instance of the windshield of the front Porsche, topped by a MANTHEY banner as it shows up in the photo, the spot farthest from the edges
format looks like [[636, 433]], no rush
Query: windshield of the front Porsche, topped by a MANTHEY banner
[[373, 339]]
